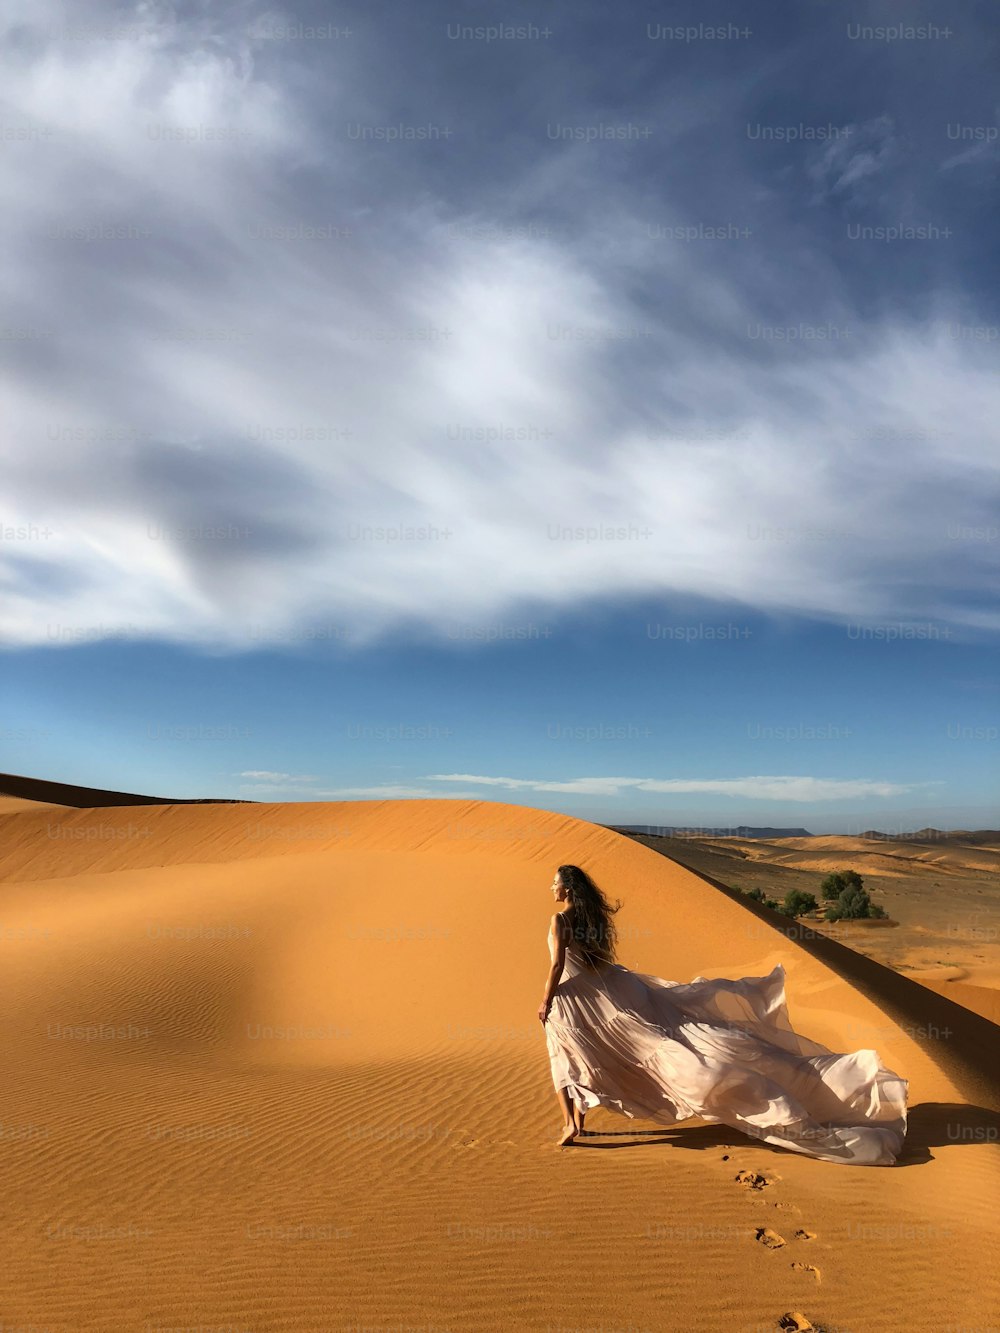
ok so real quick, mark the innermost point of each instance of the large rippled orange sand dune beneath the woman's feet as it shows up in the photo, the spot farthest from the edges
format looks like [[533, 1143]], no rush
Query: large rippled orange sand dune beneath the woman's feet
[[278, 1067]]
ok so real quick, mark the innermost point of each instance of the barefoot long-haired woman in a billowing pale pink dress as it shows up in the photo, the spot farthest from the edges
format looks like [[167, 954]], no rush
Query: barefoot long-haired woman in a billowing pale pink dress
[[723, 1051]]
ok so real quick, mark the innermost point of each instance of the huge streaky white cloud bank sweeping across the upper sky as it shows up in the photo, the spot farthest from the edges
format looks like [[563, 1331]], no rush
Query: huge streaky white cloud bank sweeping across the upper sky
[[158, 425]]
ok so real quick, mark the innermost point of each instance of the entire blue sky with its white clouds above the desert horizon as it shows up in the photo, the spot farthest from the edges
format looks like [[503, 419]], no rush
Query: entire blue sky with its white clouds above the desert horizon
[[587, 410]]
